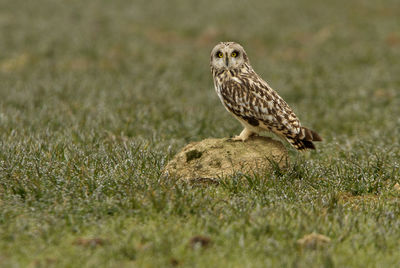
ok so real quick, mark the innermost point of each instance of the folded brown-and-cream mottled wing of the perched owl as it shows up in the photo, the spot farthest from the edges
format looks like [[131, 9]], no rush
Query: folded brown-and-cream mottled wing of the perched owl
[[252, 100]]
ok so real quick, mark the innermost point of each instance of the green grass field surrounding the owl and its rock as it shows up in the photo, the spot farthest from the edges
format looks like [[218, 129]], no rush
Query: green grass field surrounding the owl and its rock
[[97, 96]]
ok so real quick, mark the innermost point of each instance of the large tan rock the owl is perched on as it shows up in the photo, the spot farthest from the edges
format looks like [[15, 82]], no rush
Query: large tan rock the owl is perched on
[[213, 158]]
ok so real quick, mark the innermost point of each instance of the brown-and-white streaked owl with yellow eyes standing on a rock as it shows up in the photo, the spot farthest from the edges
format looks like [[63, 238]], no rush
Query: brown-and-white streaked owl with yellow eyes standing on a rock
[[252, 101]]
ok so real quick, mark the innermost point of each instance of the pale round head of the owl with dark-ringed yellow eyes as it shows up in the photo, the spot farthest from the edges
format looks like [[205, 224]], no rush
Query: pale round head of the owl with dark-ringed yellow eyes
[[228, 55]]
